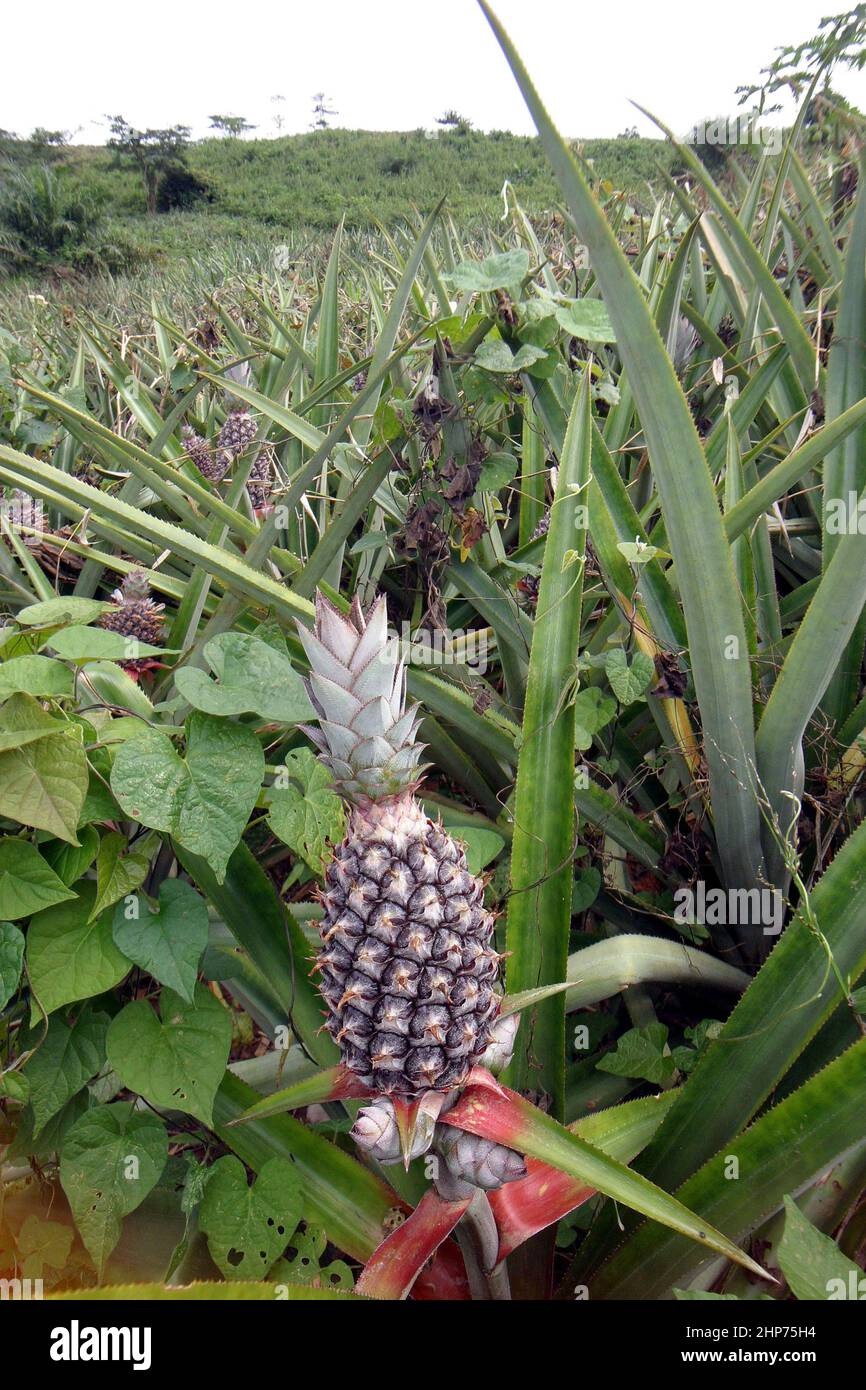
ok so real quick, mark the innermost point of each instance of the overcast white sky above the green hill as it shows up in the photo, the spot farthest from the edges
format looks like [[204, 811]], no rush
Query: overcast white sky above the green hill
[[389, 65]]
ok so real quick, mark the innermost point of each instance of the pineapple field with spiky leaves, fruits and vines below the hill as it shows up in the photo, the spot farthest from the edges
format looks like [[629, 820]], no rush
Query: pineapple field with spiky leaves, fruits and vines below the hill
[[433, 849]]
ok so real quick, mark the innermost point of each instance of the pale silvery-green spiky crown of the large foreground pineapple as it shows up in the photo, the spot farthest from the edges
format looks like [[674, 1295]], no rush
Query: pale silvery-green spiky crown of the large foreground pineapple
[[358, 689]]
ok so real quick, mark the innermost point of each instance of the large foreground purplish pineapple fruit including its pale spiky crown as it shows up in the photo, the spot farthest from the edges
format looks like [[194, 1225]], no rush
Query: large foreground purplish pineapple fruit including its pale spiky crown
[[408, 970]]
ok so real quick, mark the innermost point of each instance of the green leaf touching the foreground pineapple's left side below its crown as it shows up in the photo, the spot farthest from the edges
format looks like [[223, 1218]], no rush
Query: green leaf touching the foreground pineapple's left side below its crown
[[307, 814]]
